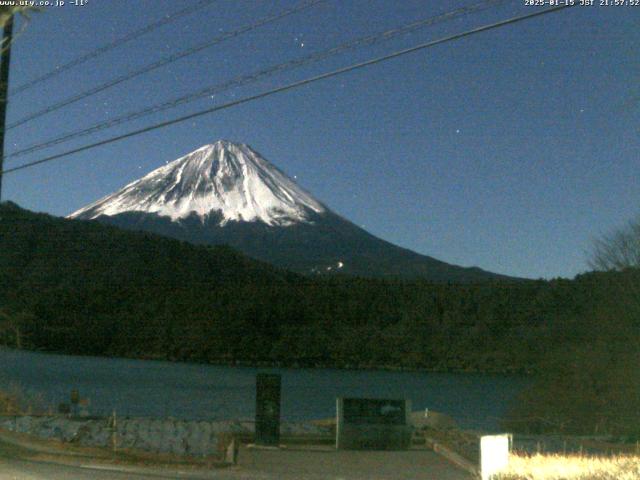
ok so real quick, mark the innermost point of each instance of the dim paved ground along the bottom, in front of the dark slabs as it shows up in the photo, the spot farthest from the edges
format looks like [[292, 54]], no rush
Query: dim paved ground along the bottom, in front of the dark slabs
[[289, 464]]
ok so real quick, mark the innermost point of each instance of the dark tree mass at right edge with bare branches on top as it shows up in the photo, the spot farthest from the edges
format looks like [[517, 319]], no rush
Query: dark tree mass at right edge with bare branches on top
[[590, 383]]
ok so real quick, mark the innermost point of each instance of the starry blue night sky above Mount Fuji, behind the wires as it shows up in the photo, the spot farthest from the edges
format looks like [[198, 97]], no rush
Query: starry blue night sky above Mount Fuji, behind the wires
[[510, 150]]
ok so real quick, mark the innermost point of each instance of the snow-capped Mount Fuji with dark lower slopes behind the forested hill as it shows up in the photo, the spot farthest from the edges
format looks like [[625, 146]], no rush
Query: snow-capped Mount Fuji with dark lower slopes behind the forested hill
[[227, 193]]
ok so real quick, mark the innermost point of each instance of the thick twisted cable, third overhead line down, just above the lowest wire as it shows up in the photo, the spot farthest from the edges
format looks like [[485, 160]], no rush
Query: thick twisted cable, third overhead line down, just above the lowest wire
[[261, 74]]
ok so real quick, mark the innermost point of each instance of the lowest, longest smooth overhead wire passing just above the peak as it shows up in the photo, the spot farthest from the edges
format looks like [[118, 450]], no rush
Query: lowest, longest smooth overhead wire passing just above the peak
[[292, 86]]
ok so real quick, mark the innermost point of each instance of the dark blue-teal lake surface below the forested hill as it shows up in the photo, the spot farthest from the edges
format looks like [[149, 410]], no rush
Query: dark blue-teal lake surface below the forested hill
[[192, 391]]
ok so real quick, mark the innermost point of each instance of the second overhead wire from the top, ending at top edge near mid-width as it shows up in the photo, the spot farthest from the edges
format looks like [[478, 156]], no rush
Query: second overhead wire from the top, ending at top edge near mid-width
[[165, 61]]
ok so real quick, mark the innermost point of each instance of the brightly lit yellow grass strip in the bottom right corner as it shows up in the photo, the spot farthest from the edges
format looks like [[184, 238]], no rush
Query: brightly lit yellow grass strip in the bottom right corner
[[572, 467]]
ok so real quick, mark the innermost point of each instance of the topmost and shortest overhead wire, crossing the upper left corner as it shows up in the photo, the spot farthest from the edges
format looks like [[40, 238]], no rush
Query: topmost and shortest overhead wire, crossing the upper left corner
[[110, 46]]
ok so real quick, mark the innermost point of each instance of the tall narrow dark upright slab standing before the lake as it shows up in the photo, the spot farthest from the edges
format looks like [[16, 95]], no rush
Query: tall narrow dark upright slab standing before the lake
[[268, 409]]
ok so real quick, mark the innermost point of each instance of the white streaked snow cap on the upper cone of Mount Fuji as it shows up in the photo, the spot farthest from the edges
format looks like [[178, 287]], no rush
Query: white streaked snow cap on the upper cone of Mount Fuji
[[225, 178]]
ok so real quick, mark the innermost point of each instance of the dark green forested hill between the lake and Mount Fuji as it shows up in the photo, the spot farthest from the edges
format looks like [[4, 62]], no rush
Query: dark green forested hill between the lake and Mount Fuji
[[83, 287]]
